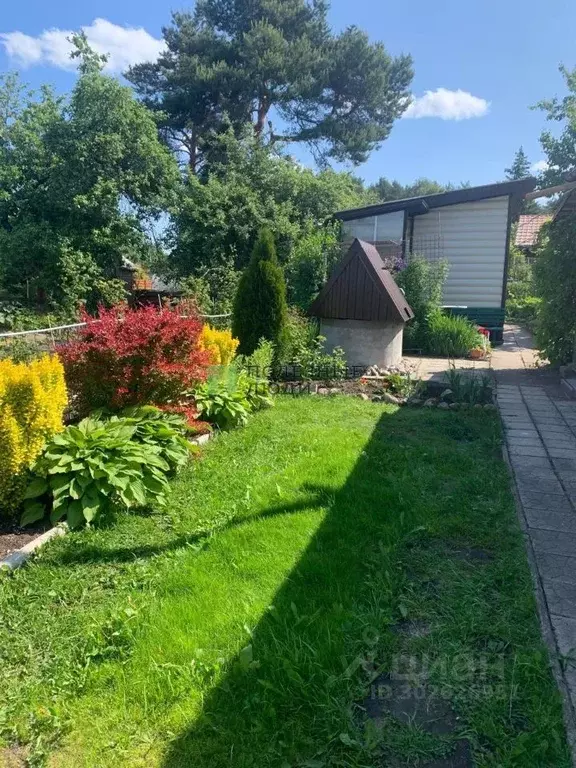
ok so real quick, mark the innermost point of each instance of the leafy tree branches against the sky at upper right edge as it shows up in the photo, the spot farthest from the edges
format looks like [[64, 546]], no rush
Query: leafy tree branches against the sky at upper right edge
[[560, 148]]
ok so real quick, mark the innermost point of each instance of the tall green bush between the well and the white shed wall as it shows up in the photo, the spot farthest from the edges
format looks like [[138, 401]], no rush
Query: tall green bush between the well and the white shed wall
[[422, 282]]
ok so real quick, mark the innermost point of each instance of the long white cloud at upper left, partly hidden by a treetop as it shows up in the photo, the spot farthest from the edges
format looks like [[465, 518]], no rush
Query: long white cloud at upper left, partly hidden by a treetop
[[124, 45]]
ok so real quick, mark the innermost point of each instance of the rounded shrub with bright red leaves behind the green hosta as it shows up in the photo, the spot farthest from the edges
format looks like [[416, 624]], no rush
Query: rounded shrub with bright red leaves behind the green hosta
[[134, 357]]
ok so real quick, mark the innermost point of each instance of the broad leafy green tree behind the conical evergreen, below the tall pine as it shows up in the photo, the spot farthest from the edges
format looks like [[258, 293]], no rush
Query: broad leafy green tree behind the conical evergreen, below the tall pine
[[250, 187]]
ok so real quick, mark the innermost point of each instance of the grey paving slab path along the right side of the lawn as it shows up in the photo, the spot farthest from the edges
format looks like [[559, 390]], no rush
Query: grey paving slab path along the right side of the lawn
[[540, 433]]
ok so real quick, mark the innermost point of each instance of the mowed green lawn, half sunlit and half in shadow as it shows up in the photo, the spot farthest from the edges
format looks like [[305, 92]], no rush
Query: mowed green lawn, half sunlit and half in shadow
[[302, 557]]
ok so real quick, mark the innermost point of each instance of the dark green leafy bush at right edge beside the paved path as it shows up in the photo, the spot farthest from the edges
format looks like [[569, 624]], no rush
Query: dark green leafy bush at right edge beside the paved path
[[555, 278]]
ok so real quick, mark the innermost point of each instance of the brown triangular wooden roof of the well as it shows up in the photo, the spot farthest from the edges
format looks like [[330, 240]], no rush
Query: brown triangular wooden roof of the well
[[360, 288]]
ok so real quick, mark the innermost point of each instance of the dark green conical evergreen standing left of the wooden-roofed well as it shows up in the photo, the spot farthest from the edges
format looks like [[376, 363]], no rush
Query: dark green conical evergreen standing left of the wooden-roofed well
[[260, 306]]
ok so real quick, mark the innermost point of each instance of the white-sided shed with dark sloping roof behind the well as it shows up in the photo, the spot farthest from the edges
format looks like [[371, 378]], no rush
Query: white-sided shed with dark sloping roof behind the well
[[469, 228]]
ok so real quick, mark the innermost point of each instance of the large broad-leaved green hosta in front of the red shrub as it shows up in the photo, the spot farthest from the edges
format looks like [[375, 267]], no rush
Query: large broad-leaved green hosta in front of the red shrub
[[88, 471]]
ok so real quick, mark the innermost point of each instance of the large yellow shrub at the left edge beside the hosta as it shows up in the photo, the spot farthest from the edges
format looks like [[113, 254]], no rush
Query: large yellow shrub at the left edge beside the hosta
[[32, 401]]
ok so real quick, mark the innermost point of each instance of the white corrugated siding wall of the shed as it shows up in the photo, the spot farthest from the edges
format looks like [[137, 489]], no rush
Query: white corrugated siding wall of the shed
[[472, 237]]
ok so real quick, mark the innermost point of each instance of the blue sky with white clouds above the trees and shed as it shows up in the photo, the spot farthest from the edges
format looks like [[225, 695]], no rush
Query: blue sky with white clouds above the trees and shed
[[492, 58]]
